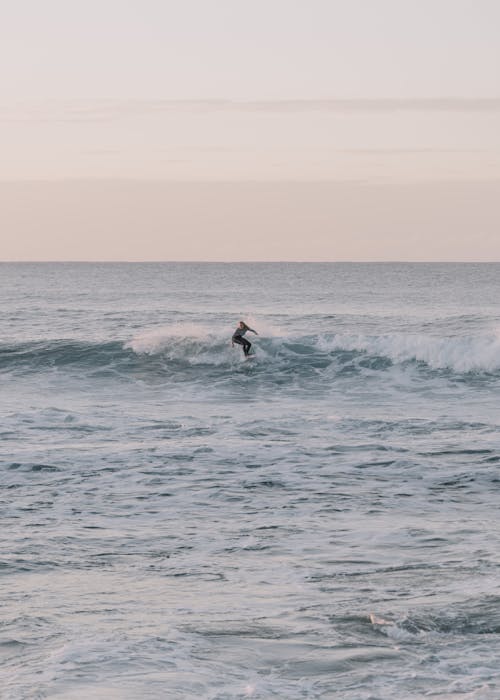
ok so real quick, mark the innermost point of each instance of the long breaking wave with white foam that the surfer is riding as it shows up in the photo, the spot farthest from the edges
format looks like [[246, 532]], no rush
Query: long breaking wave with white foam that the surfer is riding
[[183, 347]]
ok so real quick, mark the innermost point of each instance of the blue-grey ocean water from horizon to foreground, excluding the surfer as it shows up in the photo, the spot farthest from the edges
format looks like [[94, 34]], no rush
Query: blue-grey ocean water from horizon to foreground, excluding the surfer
[[319, 522]]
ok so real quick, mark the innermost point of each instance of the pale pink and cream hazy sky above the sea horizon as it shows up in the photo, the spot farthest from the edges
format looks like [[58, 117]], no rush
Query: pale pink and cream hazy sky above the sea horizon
[[270, 130]]
